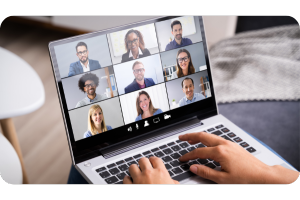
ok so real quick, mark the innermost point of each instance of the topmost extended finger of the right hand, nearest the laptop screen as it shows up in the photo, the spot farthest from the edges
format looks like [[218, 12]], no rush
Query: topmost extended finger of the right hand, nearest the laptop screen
[[203, 137]]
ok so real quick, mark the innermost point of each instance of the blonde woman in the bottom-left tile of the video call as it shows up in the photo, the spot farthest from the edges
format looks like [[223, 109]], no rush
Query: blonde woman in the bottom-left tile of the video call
[[96, 122]]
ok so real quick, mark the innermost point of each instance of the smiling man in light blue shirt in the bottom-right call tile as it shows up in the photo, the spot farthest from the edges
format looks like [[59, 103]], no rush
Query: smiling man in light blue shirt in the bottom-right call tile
[[188, 89]]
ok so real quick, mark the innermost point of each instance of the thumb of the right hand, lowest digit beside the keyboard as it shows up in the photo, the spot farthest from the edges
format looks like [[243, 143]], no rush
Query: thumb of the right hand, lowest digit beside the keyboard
[[207, 173]]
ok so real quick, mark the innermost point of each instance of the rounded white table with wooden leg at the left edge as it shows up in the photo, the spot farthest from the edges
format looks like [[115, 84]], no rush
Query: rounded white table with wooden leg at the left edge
[[22, 92]]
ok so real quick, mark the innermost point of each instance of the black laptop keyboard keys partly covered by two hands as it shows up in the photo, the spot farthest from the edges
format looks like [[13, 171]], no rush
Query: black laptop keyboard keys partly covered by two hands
[[169, 153]]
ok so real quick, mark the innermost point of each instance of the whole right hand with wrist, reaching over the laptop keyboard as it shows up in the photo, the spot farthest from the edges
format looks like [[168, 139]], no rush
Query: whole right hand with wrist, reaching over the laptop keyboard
[[238, 166]]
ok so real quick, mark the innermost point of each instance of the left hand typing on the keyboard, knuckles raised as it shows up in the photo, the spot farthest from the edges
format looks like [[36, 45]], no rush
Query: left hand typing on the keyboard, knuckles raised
[[151, 171]]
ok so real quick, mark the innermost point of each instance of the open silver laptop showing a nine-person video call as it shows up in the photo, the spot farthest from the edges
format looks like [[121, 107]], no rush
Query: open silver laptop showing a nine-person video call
[[128, 92]]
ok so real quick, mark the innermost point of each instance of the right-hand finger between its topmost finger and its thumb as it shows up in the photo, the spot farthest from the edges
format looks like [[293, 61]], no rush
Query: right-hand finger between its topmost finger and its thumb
[[203, 153]]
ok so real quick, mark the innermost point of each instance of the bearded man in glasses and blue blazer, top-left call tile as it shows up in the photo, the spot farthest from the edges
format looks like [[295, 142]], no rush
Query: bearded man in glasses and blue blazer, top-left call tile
[[84, 64]]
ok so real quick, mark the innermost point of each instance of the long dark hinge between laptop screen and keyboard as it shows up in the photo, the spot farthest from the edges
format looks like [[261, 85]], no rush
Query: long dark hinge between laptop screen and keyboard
[[151, 137]]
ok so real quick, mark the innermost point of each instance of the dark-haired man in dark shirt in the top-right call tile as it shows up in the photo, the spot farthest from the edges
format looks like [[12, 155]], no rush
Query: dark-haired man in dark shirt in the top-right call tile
[[178, 41]]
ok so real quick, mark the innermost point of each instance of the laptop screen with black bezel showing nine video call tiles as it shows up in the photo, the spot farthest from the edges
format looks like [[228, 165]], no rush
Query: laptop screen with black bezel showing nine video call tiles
[[124, 82]]
